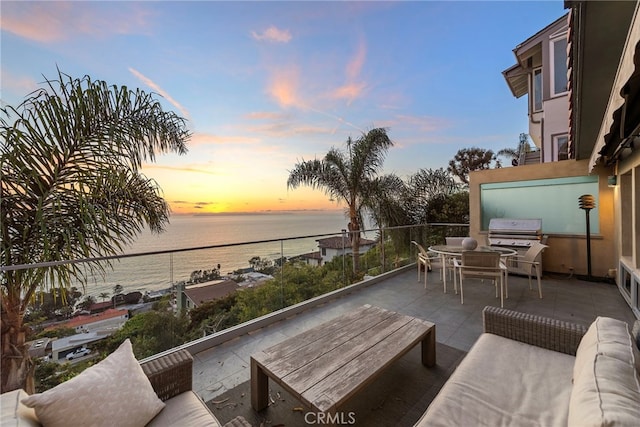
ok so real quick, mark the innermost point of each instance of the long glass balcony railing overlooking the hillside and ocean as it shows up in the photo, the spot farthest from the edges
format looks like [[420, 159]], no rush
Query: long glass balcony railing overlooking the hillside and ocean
[[146, 296]]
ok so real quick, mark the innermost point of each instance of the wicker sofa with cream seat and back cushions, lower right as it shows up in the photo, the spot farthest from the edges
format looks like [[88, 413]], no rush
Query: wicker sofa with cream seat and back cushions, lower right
[[527, 370]]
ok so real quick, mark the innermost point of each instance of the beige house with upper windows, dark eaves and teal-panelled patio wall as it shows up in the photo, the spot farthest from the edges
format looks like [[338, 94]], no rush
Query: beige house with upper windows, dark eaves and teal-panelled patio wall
[[602, 120]]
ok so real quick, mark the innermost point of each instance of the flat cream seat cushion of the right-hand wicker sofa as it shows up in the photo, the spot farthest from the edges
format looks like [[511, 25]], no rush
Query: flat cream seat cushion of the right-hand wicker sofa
[[505, 382]]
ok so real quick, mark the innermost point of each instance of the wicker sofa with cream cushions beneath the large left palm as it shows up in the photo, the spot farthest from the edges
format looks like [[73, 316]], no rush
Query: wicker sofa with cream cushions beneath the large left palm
[[169, 376]]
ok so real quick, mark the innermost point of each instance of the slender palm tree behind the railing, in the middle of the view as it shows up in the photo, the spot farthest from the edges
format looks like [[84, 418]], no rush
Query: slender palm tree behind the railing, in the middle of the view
[[347, 178]]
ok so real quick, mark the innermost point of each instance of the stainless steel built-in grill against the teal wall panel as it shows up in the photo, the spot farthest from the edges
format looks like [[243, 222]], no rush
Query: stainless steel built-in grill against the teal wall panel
[[515, 233]]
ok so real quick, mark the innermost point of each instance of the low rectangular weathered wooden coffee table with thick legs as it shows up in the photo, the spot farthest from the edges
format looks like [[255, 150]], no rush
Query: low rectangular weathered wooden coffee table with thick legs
[[326, 365]]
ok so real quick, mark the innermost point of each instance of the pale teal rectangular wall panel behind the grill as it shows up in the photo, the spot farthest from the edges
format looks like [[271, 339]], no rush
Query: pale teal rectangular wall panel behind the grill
[[554, 200]]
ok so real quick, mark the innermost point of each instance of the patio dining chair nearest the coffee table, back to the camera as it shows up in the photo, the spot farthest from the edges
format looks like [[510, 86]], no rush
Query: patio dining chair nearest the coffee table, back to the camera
[[480, 265]]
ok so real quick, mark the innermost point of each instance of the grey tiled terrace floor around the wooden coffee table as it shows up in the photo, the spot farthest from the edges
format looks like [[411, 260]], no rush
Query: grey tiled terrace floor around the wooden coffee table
[[222, 371]]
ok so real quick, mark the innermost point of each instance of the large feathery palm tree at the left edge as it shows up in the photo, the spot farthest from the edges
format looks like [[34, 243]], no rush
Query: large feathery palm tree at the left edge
[[72, 189]]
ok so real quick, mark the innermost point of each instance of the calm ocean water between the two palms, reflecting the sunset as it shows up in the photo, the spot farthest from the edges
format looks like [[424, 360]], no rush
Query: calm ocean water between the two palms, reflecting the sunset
[[158, 272]]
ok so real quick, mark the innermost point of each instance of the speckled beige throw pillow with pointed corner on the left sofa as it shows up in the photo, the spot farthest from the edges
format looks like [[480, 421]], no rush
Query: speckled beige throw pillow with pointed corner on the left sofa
[[113, 392]]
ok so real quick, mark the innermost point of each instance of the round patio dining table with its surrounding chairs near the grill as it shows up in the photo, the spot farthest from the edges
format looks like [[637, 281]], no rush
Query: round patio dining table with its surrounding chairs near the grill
[[461, 258]]
